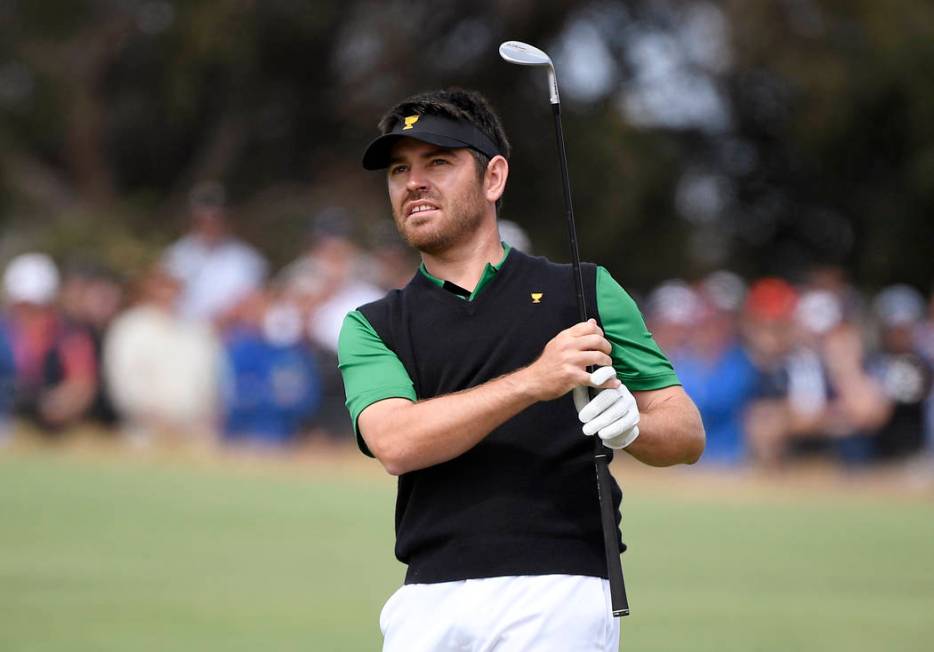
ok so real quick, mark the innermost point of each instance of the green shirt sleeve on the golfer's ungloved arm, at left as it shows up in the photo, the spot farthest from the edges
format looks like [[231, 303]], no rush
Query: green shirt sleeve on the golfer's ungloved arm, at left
[[371, 372]]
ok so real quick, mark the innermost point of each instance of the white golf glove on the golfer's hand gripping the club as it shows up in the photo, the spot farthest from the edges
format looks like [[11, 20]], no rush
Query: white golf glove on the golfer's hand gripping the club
[[612, 414]]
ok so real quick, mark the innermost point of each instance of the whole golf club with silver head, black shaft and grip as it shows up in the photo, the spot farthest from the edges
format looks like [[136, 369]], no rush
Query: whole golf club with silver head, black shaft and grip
[[524, 54]]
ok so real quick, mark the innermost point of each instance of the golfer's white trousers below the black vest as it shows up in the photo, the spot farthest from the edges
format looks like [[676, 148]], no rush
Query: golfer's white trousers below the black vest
[[540, 613]]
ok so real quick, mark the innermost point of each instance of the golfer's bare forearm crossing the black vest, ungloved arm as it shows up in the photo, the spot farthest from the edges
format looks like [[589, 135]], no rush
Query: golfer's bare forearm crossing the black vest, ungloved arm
[[408, 436]]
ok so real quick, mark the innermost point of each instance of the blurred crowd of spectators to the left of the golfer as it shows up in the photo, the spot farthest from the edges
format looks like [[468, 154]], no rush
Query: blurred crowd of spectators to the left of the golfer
[[207, 344]]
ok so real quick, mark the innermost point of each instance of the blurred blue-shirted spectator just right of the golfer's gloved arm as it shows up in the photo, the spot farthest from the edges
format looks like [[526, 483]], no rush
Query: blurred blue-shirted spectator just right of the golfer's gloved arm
[[715, 370]]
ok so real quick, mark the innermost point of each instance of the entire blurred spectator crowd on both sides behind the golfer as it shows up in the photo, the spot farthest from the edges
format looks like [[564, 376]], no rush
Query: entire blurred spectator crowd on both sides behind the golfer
[[209, 344]]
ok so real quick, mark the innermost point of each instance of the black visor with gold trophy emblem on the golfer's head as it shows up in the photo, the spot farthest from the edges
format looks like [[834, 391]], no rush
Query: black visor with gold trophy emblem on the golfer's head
[[433, 129]]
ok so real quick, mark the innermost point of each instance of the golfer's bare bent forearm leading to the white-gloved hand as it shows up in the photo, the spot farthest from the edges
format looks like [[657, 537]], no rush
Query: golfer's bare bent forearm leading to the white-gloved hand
[[670, 429]]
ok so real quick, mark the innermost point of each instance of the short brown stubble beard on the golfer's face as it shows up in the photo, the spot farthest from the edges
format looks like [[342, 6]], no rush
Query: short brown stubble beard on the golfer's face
[[460, 219]]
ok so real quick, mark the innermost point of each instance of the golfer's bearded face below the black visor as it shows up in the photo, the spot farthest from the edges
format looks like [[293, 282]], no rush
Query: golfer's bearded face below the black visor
[[437, 198]]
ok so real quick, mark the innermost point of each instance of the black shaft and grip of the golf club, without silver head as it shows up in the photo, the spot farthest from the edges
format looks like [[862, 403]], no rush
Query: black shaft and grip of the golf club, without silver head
[[614, 568]]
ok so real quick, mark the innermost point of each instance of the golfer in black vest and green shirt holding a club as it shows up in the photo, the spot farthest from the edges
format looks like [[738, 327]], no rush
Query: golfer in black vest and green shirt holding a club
[[460, 384]]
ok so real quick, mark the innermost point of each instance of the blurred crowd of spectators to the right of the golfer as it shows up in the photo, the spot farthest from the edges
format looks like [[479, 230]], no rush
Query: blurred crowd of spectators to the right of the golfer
[[782, 372]]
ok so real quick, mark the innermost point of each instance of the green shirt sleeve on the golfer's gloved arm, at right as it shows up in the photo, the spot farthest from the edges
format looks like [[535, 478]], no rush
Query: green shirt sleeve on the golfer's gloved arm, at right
[[637, 358]]
